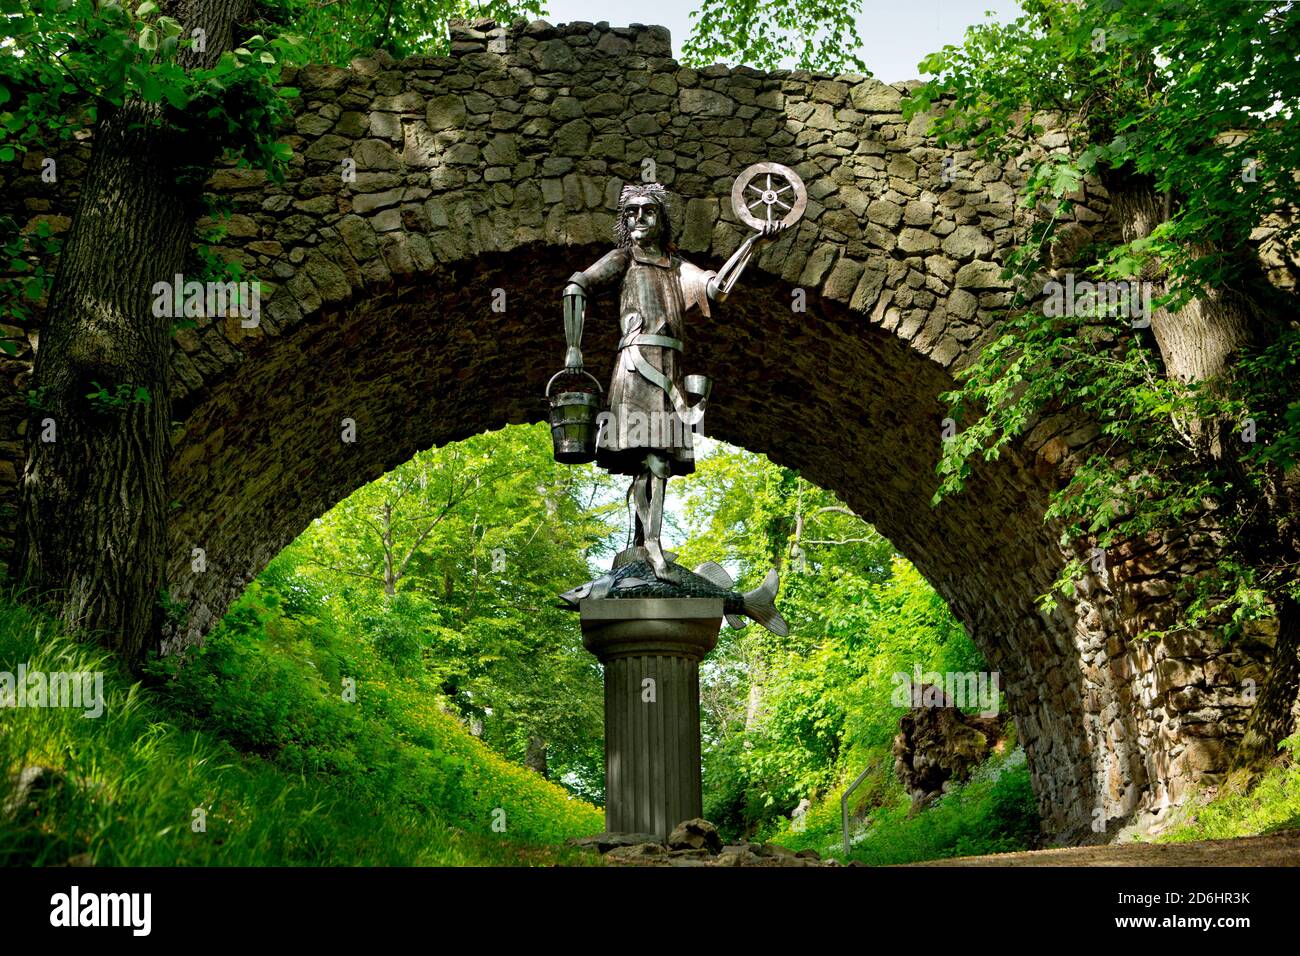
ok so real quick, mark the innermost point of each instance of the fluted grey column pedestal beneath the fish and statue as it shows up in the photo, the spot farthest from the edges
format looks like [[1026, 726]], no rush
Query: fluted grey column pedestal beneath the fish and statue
[[652, 651]]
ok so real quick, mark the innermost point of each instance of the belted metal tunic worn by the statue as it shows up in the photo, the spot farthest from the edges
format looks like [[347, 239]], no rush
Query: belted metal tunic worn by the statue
[[643, 414]]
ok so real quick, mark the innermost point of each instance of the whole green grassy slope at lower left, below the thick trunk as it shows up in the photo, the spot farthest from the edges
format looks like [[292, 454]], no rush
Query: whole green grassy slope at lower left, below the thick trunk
[[388, 780]]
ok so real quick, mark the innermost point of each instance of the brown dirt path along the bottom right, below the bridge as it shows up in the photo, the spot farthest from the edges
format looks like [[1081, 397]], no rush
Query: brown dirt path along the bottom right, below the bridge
[[1273, 850]]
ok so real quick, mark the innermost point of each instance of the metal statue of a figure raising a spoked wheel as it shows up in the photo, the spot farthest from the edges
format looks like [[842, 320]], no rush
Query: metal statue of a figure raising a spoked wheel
[[653, 408]]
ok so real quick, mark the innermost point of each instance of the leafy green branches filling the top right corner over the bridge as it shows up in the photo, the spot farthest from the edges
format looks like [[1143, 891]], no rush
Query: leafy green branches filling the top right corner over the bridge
[[1191, 94]]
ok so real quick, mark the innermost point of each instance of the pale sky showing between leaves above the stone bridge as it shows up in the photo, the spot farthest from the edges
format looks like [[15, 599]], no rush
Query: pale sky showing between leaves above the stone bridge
[[896, 34]]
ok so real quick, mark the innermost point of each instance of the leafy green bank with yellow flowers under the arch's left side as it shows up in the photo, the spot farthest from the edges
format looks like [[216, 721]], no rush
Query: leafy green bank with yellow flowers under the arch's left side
[[283, 687]]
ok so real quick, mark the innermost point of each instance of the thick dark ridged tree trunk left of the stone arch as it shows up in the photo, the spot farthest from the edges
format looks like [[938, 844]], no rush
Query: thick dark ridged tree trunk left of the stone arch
[[93, 522]]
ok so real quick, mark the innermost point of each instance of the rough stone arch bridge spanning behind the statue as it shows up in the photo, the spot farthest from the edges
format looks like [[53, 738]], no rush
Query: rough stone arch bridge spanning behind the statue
[[499, 167]]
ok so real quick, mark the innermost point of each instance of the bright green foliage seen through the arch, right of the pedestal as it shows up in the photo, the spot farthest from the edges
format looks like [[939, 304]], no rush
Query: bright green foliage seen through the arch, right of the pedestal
[[791, 719]]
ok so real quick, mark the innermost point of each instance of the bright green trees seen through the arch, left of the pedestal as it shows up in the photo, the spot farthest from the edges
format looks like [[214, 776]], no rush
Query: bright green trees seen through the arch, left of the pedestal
[[452, 564]]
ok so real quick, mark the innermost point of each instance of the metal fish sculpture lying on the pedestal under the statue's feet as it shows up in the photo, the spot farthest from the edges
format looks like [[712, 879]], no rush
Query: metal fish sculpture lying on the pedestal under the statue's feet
[[638, 579]]
